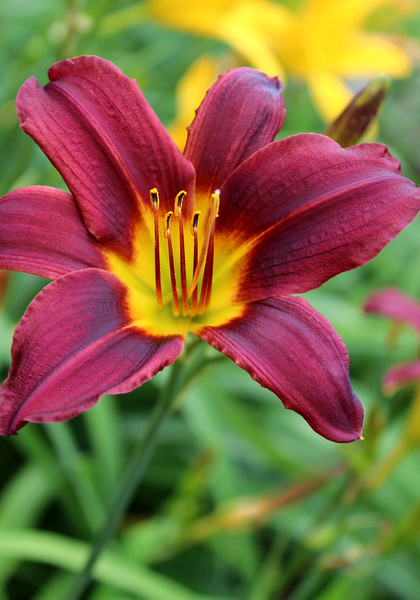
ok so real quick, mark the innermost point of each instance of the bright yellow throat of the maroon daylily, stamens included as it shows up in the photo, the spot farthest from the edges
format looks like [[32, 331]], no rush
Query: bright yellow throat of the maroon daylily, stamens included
[[174, 282]]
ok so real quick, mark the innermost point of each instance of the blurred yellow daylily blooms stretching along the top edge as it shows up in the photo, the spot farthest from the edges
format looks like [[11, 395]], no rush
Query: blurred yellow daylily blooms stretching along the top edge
[[322, 41]]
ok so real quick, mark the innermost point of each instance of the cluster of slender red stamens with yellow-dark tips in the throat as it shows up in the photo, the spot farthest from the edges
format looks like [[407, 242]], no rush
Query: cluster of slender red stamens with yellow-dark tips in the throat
[[192, 303]]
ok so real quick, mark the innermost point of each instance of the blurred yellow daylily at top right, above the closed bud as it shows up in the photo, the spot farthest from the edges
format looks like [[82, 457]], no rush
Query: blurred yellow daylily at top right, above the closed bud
[[327, 44]]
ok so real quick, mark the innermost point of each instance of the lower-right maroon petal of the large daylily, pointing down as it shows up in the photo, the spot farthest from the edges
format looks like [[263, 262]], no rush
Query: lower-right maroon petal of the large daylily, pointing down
[[292, 350]]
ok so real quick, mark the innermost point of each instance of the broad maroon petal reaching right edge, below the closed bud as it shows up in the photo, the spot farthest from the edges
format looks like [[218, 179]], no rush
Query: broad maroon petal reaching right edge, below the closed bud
[[306, 209]]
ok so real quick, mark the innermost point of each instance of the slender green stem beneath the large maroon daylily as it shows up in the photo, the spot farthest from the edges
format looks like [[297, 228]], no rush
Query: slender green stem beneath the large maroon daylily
[[135, 472]]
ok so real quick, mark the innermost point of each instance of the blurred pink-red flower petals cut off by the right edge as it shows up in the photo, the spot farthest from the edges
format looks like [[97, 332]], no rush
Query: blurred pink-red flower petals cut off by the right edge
[[392, 303]]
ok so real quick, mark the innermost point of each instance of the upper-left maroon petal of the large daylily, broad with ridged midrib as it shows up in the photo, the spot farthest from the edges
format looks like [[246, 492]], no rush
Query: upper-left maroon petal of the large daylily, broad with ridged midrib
[[97, 129]]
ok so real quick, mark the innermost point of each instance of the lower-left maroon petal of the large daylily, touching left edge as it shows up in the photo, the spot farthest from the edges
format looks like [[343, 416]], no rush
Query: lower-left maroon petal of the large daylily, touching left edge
[[75, 343]]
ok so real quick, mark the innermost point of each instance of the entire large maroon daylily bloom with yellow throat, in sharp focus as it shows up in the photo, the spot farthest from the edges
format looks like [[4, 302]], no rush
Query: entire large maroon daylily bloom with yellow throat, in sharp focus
[[151, 244]]
